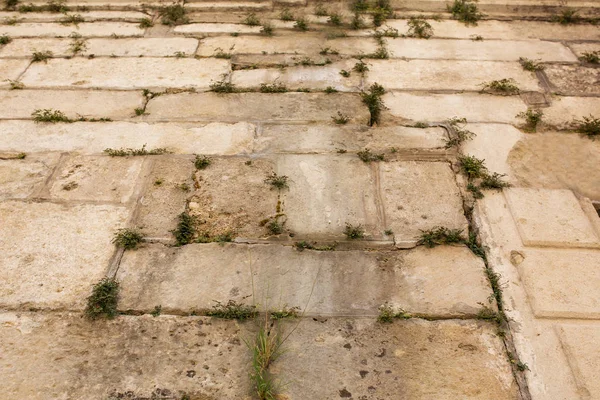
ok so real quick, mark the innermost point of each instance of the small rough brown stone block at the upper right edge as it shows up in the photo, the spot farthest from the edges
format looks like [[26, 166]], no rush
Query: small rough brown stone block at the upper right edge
[[574, 79]]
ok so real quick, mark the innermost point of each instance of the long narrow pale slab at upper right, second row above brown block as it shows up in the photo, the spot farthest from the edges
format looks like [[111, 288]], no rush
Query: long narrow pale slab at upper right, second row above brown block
[[488, 50]]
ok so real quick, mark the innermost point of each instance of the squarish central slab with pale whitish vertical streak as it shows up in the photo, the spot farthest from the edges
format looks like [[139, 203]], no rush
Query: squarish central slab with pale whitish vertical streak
[[327, 192]]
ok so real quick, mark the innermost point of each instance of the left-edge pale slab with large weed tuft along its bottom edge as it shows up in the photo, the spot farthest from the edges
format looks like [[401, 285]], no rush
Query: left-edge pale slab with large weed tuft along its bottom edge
[[20, 104]]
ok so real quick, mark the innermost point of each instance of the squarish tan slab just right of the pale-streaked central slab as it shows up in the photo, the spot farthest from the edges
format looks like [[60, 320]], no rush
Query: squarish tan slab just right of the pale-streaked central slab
[[420, 196]]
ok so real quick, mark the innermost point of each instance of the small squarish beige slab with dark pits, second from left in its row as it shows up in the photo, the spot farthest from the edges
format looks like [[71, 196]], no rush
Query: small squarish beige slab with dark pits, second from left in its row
[[96, 178]]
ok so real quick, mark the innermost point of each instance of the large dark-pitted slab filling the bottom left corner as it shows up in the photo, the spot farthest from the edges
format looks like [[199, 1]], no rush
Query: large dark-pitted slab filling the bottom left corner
[[166, 357]]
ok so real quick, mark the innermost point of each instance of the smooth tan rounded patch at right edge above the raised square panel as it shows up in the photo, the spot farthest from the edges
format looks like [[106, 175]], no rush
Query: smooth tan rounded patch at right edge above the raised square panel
[[557, 161]]
